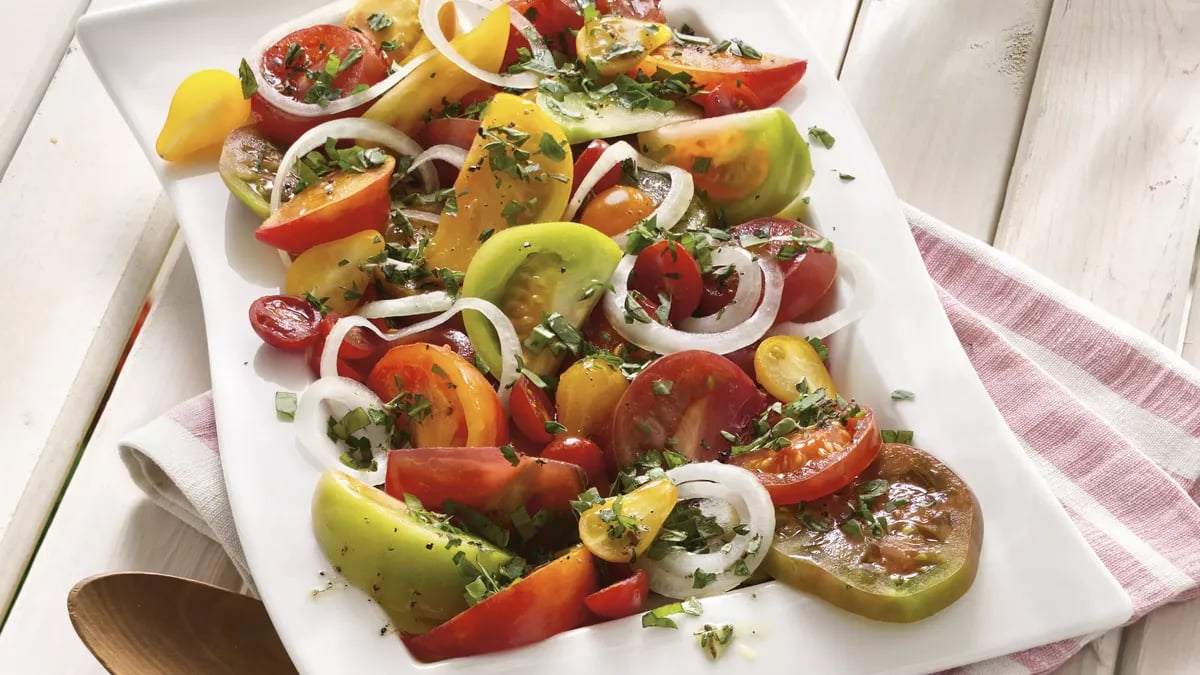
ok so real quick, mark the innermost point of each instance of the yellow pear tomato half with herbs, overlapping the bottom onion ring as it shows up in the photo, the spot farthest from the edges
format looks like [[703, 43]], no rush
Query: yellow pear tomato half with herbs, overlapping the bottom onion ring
[[623, 528]]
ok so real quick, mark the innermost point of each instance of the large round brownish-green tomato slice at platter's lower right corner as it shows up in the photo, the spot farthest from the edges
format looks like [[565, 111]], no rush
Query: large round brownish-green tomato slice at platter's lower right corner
[[901, 543]]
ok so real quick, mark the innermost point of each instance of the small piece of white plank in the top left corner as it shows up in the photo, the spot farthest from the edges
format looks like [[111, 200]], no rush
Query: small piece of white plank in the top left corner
[[41, 33]]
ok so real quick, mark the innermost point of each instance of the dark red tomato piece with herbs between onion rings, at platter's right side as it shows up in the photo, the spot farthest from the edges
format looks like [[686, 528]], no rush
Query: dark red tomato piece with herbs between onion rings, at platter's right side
[[808, 278]]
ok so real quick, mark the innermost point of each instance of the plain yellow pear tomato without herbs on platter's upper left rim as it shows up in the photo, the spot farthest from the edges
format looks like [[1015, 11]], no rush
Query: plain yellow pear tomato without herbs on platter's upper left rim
[[205, 110]]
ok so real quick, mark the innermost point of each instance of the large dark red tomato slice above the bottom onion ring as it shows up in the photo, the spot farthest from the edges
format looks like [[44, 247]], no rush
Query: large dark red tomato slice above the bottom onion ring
[[709, 395]]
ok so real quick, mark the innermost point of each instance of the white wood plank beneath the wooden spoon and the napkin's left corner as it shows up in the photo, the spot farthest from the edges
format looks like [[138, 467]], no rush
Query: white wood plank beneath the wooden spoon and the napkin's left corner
[[105, 523]]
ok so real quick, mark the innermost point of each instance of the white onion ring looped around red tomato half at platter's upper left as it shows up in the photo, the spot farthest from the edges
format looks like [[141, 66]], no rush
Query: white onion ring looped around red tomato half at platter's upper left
[[332, 14]]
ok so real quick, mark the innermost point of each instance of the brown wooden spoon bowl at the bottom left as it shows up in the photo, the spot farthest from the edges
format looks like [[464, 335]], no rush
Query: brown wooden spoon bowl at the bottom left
[[142, 624]]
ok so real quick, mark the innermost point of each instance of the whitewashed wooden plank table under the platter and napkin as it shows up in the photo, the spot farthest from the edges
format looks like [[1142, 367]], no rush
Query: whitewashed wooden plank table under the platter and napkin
[[1066, 133]]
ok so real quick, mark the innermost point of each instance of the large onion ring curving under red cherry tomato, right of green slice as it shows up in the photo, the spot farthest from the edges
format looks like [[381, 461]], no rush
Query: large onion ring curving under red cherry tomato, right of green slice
[[663, 341]]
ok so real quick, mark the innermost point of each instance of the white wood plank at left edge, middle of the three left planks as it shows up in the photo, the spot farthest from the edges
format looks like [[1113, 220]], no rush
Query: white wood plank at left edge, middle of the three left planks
[[88, 237]]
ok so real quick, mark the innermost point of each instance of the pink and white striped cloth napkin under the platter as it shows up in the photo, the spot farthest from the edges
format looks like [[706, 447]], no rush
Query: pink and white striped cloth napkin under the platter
[[1111, 419]]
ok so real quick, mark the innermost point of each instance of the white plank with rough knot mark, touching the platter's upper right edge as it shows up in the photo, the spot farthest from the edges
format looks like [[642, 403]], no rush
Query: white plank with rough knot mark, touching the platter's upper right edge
[[941, 87]]
